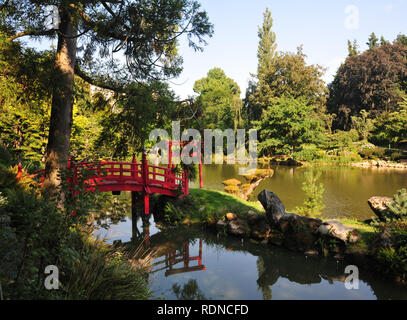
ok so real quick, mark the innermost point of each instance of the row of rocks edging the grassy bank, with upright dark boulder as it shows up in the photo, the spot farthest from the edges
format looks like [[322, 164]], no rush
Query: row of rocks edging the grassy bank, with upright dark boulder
[[292, 231]]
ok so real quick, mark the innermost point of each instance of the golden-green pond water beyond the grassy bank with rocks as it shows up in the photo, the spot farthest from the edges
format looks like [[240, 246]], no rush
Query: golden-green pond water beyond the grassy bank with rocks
[[347, 189]]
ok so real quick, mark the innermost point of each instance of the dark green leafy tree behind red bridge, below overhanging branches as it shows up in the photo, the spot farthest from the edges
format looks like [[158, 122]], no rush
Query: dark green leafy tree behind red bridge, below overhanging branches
[[144, 108]]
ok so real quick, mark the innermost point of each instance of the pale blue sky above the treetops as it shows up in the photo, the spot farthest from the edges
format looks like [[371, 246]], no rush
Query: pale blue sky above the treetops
[[322, 27]]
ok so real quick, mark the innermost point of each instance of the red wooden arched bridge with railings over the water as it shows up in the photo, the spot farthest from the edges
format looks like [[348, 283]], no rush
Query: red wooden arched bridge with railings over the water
[[115, 176]]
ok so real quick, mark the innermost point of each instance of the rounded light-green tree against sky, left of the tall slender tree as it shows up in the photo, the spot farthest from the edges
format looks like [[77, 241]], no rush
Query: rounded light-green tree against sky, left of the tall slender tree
[[219, 100]]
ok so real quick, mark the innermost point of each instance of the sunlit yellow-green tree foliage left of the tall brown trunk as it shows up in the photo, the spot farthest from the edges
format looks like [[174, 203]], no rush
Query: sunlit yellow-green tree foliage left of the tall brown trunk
[[24, 99]]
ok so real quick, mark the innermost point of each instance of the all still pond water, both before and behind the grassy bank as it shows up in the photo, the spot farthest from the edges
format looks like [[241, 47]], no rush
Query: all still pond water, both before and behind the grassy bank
[[195, 264]]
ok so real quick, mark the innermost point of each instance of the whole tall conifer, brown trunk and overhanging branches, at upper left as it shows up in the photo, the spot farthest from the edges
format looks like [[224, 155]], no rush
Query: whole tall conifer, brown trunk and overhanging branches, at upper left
[[146, 33]]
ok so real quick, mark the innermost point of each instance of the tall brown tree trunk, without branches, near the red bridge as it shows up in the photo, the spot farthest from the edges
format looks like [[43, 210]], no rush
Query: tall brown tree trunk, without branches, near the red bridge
[[62, 102]]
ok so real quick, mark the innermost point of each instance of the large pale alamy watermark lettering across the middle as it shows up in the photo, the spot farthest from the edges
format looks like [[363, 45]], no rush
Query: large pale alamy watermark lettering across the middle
[[187, 147]]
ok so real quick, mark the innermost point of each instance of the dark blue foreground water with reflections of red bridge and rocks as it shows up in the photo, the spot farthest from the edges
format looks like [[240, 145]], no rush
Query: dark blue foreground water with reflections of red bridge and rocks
[[191, 263]]
